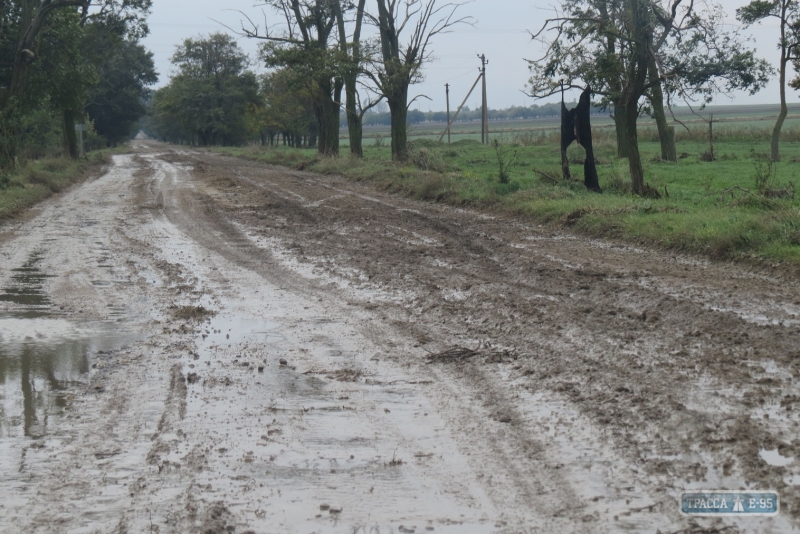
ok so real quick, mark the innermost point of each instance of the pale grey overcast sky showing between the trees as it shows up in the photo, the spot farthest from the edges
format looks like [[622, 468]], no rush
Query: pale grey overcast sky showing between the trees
[[499, 31]]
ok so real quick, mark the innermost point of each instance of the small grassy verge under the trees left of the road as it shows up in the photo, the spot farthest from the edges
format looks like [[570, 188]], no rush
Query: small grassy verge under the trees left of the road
[[37, 180]]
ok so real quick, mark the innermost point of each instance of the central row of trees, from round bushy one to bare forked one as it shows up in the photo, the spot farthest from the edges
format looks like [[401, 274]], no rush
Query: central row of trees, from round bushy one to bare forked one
[[319, 61]]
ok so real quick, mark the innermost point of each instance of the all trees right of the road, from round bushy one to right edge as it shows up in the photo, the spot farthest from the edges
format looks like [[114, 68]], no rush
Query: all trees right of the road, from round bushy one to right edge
[[638, 56]]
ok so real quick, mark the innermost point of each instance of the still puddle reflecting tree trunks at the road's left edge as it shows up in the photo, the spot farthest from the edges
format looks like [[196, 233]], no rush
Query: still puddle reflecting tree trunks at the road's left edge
[[41, 362]]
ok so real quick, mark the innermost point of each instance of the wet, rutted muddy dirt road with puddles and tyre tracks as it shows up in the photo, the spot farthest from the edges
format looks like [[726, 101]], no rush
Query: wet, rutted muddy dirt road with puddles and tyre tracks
[[193, 343]]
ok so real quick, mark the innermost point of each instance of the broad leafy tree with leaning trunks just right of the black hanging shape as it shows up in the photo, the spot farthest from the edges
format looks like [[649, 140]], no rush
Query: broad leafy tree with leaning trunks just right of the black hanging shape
[[625, 50]]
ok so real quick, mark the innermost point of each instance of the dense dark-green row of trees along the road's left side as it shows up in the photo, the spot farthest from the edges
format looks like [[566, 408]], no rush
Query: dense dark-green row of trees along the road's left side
[[63, 61]]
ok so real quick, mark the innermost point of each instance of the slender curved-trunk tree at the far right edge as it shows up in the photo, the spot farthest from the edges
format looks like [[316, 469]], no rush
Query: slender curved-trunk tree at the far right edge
[[787, 12]]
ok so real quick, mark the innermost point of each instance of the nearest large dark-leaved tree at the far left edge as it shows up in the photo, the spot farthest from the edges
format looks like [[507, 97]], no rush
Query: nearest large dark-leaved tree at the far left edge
[[44, 62]]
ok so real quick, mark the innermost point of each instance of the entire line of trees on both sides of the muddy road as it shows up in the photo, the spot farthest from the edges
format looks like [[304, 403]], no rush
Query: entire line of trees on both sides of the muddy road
[[67, 60]]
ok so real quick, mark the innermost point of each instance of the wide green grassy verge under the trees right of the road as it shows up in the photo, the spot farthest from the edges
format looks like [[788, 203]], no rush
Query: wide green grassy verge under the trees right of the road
[[719, 209]]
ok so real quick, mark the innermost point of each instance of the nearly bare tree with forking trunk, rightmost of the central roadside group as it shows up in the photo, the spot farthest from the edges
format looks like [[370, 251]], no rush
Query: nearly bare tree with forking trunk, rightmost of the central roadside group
[[399, 65]]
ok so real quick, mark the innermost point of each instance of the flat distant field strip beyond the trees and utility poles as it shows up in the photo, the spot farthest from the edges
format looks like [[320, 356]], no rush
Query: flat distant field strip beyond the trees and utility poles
[[760, 117]]
